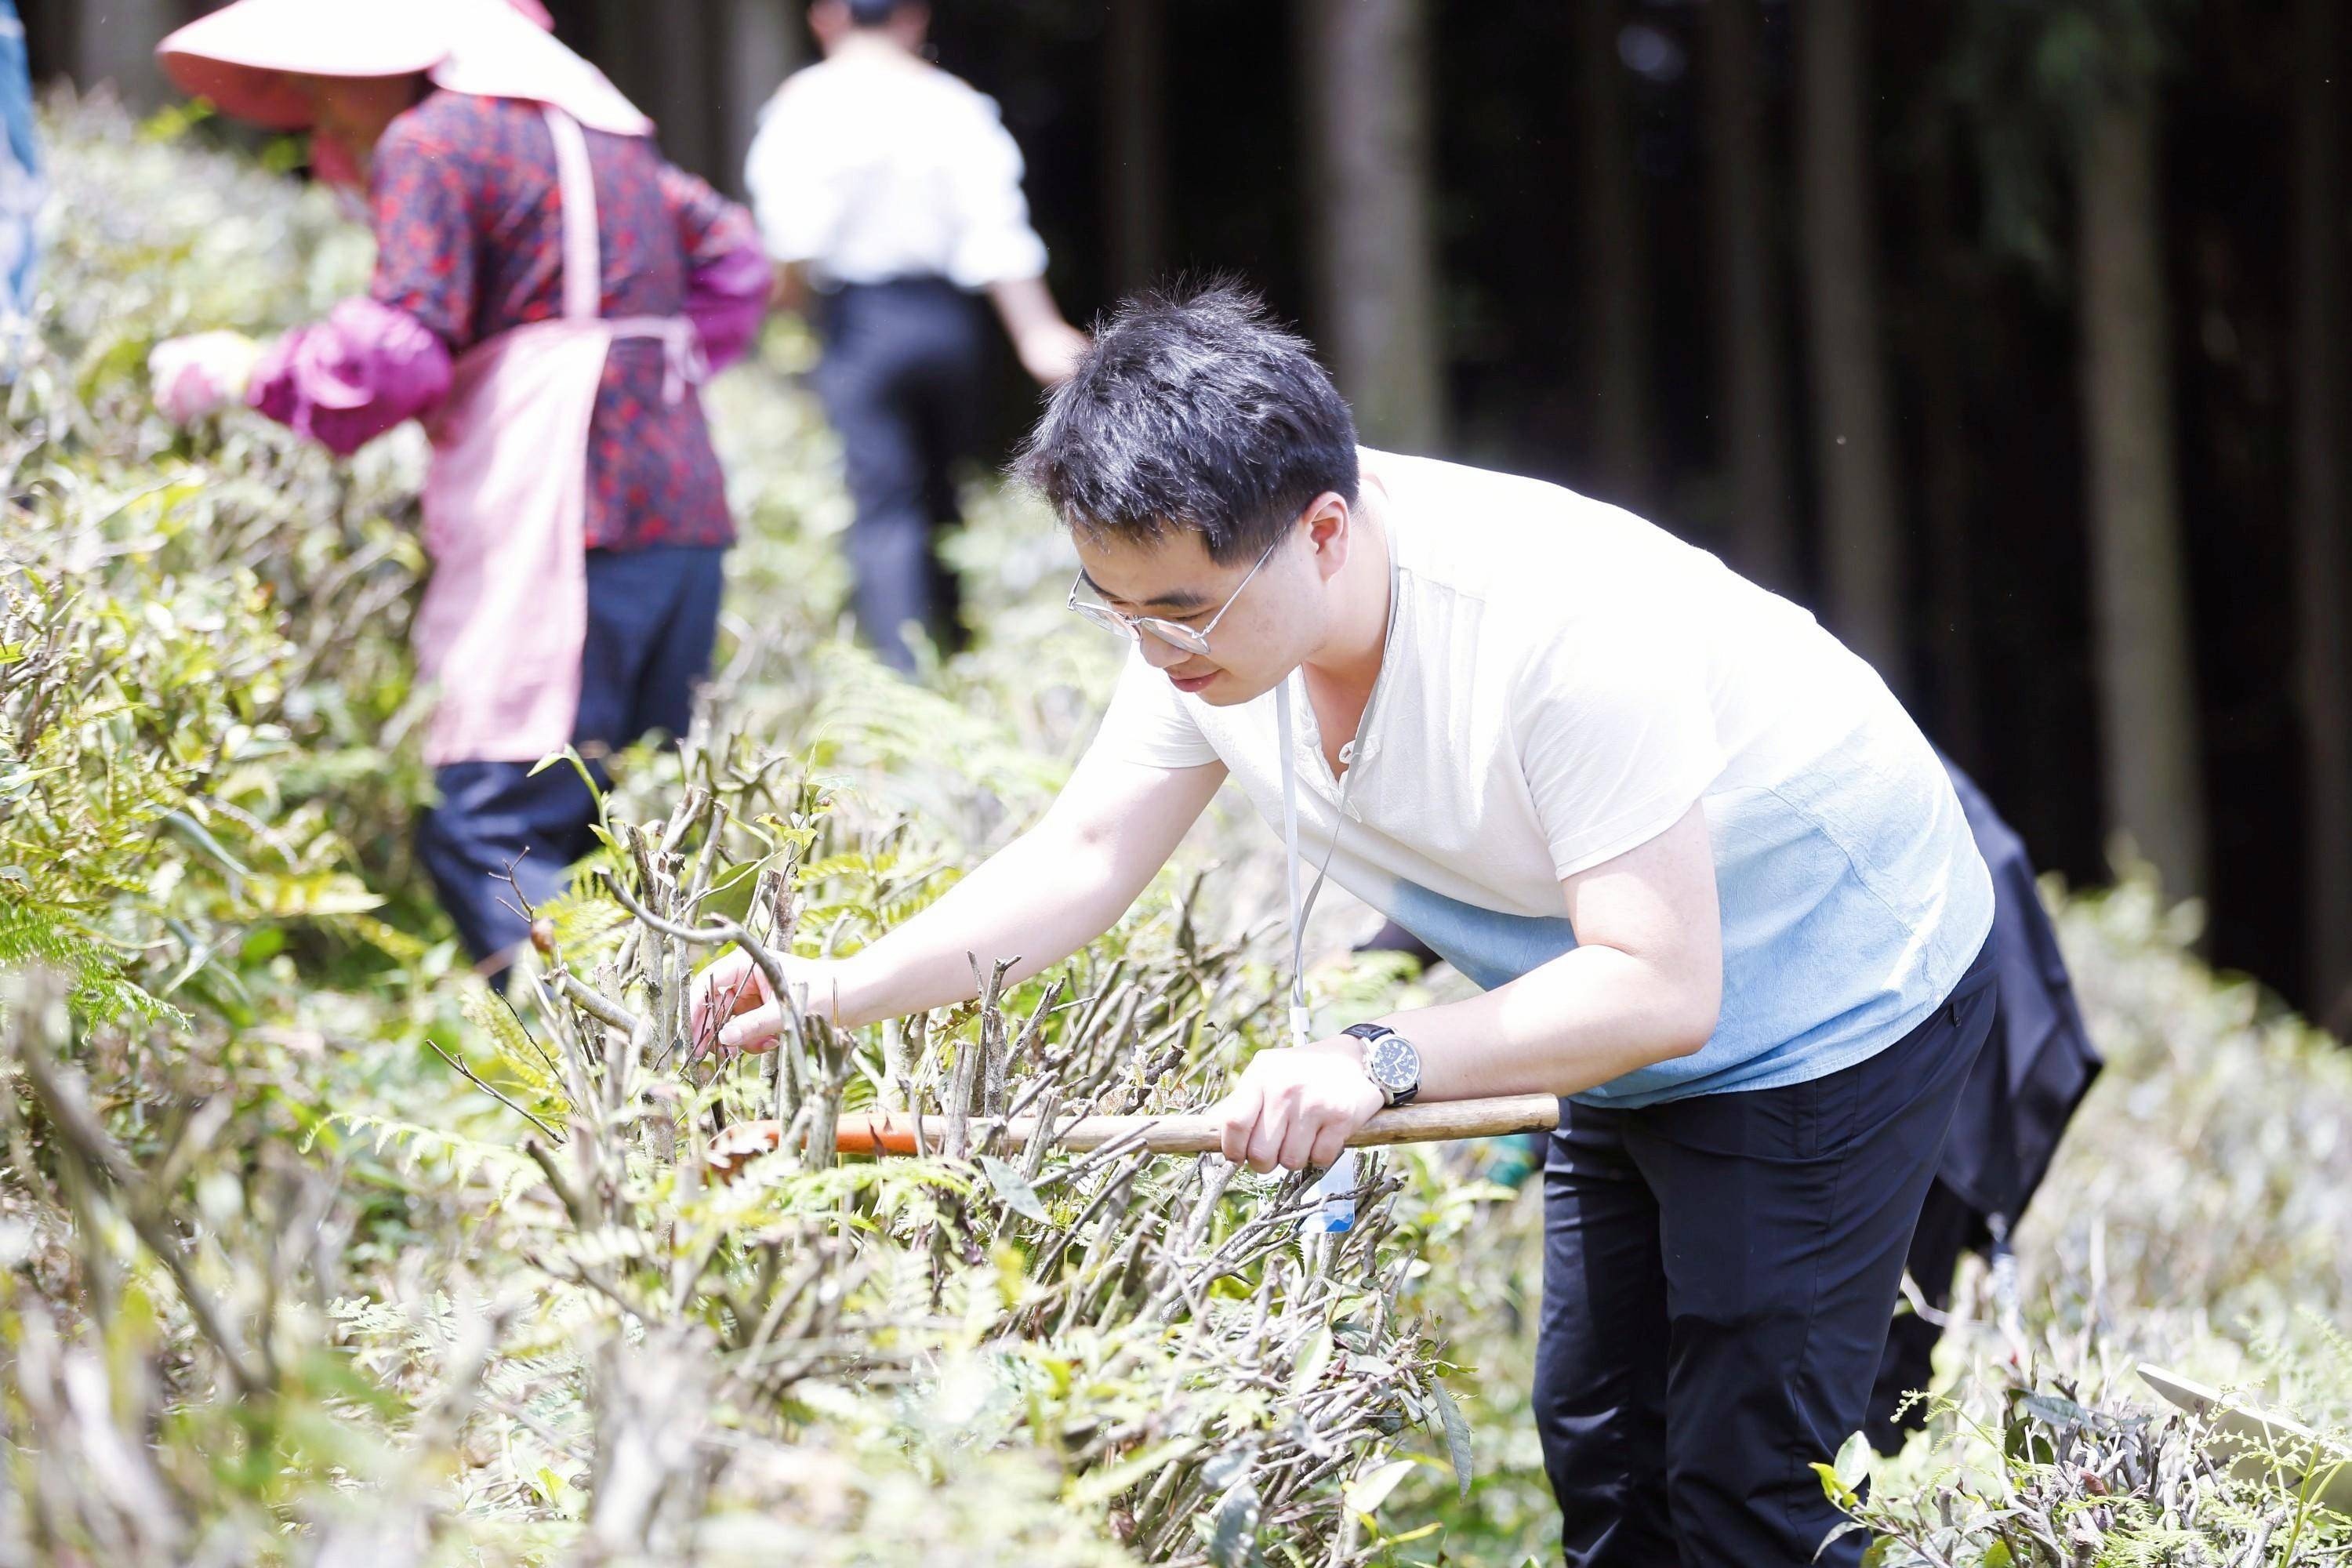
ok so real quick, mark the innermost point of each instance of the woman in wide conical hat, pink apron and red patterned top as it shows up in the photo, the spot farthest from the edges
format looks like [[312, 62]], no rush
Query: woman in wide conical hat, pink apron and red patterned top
[[547, 297]]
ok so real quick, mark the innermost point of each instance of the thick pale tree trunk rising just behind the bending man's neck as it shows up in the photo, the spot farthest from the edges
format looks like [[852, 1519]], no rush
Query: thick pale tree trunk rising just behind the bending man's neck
[[1368, 93]]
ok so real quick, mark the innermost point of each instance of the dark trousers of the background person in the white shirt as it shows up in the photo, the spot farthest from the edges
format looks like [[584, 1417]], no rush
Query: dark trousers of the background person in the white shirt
[[902, 387]]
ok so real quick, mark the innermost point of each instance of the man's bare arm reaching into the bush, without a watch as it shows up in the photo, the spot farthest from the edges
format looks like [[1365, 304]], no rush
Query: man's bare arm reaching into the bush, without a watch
[[1038, 899]]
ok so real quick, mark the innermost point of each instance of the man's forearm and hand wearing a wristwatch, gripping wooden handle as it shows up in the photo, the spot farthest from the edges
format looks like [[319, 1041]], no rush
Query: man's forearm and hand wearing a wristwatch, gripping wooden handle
[[1643, 986]]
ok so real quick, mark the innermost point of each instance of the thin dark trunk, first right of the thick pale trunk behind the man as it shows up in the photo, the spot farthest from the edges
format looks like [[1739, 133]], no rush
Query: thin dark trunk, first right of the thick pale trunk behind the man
[[1615, 264]]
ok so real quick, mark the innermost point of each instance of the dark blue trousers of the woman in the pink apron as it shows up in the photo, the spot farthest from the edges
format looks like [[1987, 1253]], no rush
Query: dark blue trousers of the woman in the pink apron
[[653, 617]]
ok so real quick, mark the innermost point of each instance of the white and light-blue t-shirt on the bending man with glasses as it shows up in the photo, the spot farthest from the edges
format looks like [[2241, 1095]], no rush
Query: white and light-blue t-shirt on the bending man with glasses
[[1563, 683]]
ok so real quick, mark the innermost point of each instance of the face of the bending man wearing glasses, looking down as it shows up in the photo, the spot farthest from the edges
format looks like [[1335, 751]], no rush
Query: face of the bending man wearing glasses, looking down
[[1264, 634]]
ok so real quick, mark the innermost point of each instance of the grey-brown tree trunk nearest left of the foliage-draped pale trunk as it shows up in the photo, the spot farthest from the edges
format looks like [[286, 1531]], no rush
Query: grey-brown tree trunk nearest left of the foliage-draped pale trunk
[[1862, 518]]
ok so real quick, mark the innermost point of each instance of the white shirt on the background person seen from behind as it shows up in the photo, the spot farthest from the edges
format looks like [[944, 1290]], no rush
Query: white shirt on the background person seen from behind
[[874, 168]]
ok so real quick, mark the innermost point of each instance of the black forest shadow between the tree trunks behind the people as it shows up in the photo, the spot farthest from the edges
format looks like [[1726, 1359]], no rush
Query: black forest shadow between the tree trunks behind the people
[[1982, 319]]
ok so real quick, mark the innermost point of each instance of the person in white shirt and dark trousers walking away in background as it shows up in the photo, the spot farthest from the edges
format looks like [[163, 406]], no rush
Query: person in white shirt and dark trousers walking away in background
[[890, 196]]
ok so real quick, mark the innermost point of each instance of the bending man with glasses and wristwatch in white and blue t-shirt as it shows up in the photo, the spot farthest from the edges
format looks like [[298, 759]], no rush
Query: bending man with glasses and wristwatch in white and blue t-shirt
[[1713, 878]]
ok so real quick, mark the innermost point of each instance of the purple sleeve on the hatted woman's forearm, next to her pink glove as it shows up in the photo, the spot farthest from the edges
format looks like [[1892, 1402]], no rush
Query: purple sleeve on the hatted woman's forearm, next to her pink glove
[[352, 377]]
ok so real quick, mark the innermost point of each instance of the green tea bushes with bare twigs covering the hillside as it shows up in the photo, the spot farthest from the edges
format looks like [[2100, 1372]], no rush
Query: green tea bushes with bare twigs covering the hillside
[[316, 1252]]
